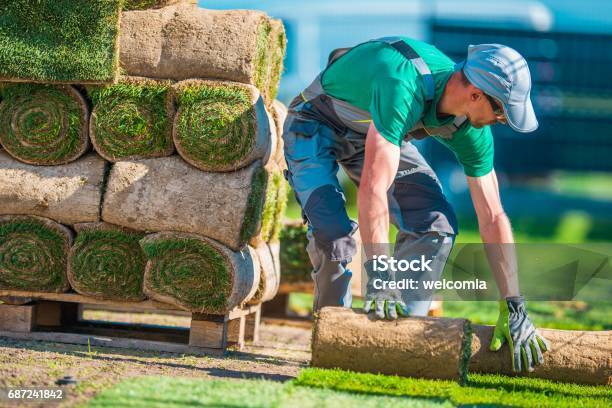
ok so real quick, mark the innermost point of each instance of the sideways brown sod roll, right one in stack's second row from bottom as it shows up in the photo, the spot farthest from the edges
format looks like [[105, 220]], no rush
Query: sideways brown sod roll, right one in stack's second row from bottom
[[167, 194]]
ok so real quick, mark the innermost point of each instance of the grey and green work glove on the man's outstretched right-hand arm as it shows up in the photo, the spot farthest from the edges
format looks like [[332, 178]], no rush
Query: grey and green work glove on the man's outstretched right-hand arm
[[513, 325]]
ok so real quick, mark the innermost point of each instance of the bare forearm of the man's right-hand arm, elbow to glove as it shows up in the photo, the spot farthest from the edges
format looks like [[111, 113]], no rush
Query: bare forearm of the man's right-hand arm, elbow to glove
[[497, 237]]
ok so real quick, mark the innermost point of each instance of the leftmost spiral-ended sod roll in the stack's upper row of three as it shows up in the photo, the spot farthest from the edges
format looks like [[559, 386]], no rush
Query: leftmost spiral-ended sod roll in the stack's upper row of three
[[43, 124]]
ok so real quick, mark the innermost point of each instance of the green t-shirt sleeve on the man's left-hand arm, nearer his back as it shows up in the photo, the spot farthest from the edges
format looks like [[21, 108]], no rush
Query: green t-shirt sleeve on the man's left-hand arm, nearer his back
[[394, 108]]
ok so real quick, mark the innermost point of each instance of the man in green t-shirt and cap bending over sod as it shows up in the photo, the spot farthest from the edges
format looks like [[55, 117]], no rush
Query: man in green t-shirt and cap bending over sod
[[361, 112]]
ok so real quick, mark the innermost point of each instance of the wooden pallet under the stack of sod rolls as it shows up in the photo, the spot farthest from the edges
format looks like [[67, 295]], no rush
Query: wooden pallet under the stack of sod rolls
[[56, 317]]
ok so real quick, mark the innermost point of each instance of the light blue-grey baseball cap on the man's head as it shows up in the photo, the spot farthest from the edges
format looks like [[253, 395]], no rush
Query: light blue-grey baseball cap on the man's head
[[502, 72]]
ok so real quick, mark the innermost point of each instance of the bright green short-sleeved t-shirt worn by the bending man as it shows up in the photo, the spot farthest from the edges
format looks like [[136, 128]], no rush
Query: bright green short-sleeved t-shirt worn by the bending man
[[376, 77]]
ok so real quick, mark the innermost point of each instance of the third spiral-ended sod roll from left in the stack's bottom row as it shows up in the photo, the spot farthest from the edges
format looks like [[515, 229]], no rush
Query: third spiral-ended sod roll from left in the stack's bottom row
[[198, 274]]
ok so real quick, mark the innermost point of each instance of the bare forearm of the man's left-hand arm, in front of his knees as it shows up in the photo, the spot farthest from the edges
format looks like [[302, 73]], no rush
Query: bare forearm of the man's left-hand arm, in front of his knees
[[373, 220]]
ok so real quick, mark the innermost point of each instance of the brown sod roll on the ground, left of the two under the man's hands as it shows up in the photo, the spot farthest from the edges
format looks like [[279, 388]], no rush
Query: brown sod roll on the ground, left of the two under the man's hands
[[413, 347]]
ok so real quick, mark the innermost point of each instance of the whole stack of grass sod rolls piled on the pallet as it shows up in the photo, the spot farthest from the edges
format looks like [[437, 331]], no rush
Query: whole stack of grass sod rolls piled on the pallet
[[141, 151]]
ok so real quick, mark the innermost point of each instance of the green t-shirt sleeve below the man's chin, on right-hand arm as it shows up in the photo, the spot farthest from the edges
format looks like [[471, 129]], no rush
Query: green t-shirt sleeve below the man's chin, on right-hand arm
[[473, 149]]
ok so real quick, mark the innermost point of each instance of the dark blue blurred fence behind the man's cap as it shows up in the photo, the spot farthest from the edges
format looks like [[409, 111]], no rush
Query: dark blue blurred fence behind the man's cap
[[572, 95]]
